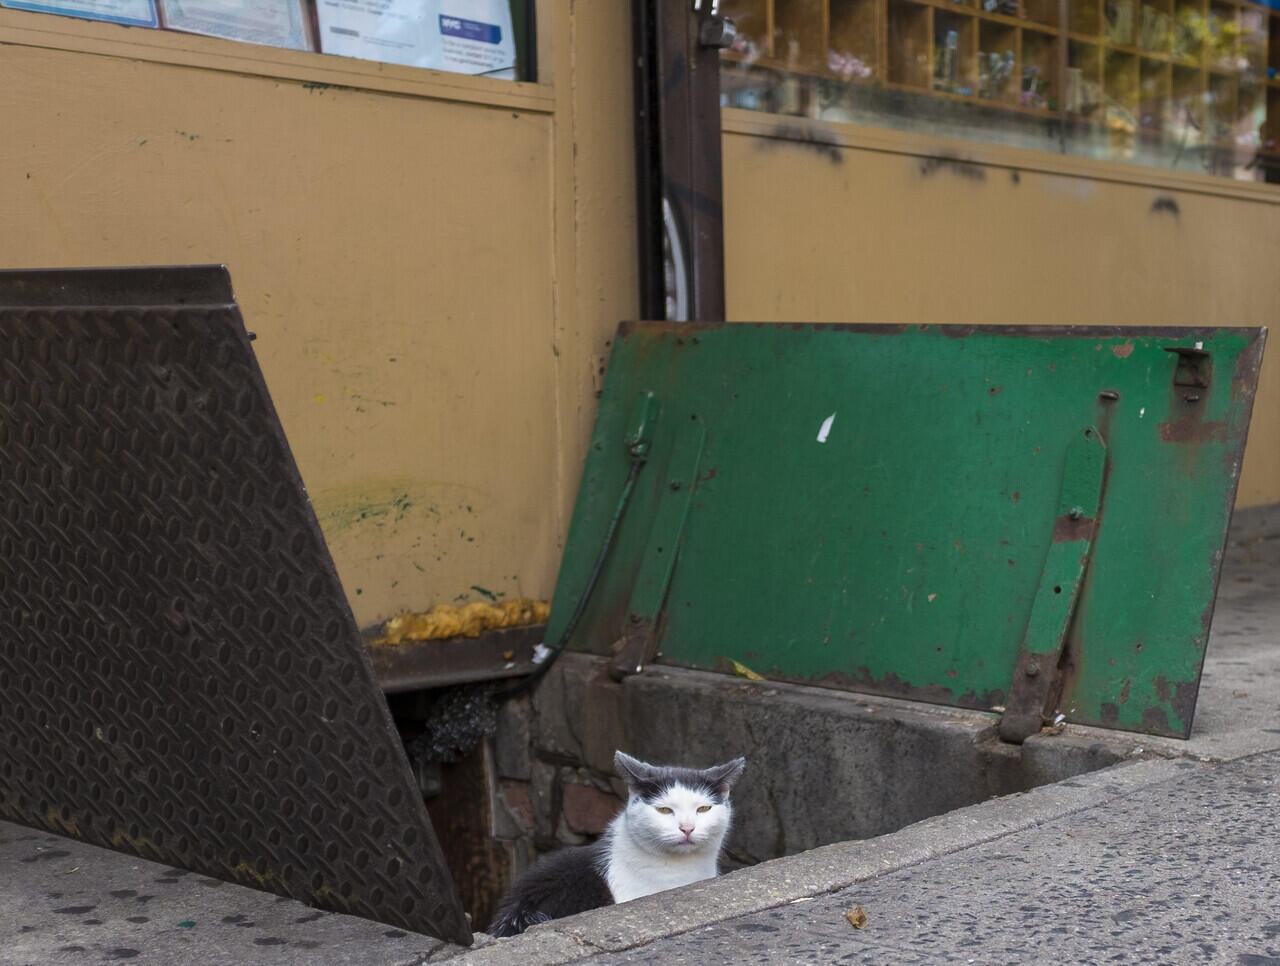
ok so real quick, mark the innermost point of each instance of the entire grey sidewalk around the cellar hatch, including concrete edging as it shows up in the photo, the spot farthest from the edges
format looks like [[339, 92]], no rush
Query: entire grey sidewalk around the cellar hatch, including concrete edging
[[1163, 860]]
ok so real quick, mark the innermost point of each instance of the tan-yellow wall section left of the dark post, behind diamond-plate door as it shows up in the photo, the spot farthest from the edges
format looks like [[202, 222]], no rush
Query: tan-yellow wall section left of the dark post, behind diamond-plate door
[[431, 267]]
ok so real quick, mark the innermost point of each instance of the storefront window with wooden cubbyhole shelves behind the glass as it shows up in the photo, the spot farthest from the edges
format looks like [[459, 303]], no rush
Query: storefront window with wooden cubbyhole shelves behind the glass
[[1187, 85]]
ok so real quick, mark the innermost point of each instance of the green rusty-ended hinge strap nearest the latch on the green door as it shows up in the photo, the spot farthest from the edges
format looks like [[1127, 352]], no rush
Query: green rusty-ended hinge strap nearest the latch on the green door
[[1059, 589]]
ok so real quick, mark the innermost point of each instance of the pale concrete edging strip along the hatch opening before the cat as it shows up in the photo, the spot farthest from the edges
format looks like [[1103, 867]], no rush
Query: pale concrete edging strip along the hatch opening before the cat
[[817, 872]]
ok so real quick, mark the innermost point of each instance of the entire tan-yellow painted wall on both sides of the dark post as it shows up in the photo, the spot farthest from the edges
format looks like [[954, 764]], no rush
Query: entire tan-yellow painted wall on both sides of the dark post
[[435, 264]]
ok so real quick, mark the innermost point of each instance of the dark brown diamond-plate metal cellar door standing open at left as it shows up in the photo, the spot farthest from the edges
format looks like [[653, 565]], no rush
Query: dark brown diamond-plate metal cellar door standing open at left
[[182, 676]]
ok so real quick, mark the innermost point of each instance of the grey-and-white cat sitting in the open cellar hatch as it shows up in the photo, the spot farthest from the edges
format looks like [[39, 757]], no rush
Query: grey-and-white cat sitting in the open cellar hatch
[[669, 835]]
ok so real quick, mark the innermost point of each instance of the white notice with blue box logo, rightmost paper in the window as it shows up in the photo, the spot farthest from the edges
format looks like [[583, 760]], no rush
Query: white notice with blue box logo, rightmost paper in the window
[[464, 36]]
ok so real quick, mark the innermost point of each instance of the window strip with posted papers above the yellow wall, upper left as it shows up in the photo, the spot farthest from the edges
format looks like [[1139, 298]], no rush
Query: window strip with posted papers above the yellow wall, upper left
[[491, 38]]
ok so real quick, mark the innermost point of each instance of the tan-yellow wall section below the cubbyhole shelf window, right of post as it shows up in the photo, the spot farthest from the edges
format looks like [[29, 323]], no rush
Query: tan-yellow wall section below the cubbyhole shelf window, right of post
[[893, 228]]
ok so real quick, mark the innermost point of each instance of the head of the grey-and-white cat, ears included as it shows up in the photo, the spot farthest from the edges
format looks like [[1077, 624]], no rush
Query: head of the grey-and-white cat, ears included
[[679, 811]]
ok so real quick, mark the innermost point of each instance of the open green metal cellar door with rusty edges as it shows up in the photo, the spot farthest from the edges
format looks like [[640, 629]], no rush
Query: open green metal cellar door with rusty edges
[[1020, 519]]
